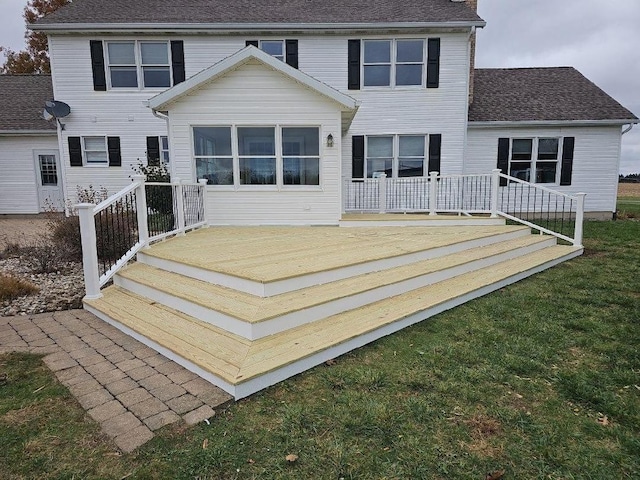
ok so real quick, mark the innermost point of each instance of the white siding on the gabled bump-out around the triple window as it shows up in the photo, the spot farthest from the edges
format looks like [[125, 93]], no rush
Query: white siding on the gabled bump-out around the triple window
[[233, 101]]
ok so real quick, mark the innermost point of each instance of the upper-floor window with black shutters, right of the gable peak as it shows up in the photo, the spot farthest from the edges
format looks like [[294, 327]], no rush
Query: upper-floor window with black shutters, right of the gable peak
[[389, 63]]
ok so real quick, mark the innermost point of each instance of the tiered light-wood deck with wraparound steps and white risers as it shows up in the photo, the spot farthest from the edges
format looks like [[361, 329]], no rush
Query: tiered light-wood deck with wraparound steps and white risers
[[248, 307]]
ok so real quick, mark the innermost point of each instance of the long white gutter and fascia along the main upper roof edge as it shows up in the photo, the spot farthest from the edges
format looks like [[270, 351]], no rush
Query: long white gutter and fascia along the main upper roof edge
[[242, 27]]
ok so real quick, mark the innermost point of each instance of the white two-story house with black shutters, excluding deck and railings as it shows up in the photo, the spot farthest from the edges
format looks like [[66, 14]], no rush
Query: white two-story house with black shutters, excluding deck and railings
[[391, 84]]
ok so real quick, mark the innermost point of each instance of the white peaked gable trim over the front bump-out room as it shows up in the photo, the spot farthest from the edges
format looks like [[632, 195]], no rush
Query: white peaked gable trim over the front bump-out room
[[250, 52]]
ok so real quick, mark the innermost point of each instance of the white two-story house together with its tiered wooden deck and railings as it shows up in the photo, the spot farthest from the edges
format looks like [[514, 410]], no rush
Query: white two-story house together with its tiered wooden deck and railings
[[298, 113]]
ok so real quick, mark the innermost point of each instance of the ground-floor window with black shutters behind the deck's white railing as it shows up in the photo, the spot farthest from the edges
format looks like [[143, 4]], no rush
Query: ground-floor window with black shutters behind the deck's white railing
[[395, 155]]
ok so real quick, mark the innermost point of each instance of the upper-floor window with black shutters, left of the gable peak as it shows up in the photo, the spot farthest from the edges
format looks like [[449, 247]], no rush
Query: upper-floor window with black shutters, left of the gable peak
[[138, 64]]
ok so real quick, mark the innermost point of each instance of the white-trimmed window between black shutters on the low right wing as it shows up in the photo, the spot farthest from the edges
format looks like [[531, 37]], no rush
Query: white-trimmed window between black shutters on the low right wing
[[535, 160]]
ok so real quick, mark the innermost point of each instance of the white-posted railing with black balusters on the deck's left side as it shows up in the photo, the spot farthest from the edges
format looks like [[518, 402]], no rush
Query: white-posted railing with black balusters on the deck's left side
[[119, 227]]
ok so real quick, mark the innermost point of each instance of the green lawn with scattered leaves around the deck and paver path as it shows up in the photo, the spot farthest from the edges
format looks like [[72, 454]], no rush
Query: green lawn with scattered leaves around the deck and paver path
[[540, 379]]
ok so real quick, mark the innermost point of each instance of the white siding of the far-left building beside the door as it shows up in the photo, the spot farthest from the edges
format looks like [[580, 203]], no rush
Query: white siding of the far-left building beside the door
[[19, 182]]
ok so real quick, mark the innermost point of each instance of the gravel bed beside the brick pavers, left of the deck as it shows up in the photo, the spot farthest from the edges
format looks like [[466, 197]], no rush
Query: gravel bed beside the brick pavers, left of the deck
[[60, 290]]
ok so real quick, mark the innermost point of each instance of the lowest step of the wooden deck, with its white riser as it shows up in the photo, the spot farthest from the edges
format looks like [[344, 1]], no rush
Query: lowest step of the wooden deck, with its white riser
[[242, 366]]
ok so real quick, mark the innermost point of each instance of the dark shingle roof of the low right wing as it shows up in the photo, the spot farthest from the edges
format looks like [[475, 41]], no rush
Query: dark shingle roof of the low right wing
[[540, 94]]
